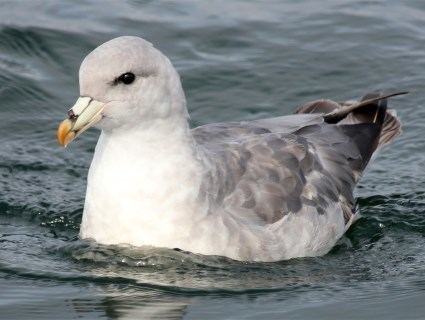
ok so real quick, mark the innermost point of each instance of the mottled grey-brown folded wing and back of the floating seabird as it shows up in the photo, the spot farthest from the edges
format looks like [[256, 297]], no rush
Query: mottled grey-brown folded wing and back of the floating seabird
[[269, 168]]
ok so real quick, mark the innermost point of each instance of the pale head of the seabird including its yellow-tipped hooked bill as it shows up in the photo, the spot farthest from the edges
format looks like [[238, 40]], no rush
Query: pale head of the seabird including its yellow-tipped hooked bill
[[124, 82]]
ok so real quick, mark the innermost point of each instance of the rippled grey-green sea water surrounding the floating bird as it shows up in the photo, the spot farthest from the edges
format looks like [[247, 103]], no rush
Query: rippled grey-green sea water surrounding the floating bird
[[239, 60]]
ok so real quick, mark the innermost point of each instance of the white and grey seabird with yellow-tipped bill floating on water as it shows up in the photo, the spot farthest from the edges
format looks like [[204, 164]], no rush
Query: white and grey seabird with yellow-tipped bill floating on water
[[262, 190]]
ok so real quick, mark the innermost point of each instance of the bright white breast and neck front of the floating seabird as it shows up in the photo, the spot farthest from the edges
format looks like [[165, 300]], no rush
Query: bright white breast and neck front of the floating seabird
[[141, 177]]
